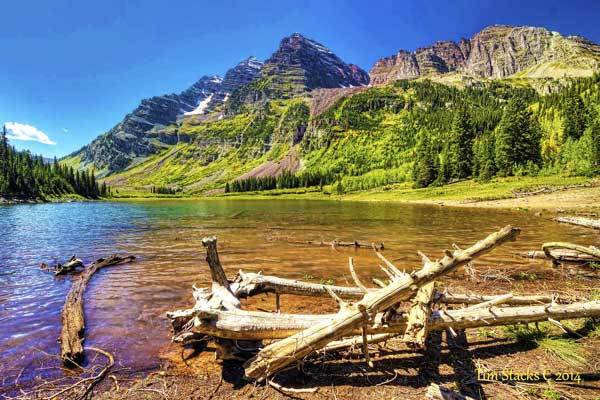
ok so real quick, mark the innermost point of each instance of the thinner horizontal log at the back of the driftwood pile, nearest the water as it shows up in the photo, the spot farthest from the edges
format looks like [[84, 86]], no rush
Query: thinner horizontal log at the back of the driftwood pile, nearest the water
[[249, 284]]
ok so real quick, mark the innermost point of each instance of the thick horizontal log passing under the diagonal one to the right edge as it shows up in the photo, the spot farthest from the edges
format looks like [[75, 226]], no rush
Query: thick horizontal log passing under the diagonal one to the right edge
[[259, 325]]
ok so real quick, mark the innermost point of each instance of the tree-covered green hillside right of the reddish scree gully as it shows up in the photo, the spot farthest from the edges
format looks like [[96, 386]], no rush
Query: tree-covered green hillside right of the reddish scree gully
[[435, 134]]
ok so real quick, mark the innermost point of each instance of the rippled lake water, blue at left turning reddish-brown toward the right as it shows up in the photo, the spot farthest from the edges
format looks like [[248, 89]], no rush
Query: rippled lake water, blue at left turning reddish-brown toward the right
[[125, 305]]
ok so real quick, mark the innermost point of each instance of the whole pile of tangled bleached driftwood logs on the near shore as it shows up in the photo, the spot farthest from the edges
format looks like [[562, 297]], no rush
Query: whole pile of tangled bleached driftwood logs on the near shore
[[375, 316]]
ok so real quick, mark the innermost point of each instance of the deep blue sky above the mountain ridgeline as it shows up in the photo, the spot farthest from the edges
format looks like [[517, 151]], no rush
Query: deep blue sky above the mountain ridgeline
[[70, 70]]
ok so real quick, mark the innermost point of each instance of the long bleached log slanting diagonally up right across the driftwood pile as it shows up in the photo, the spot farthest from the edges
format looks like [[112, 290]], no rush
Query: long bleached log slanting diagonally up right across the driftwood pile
[[278, 355]]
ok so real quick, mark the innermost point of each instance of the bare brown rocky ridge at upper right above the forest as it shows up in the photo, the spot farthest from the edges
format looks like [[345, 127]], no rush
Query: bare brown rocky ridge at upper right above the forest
[[495, 52]]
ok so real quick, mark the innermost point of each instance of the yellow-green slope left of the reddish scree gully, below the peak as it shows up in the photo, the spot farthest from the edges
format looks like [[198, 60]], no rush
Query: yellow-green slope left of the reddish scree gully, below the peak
[[217, 152]]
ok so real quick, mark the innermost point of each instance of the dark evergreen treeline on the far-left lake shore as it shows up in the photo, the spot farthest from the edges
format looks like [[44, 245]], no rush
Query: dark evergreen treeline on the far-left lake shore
[[25, 175]]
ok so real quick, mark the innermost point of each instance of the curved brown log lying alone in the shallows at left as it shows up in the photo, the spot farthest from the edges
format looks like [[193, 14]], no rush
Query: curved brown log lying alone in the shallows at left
[[72, 317]]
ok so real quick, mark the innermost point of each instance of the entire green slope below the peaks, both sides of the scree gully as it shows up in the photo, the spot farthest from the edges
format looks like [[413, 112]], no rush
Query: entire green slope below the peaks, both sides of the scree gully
[[411, 130]]
